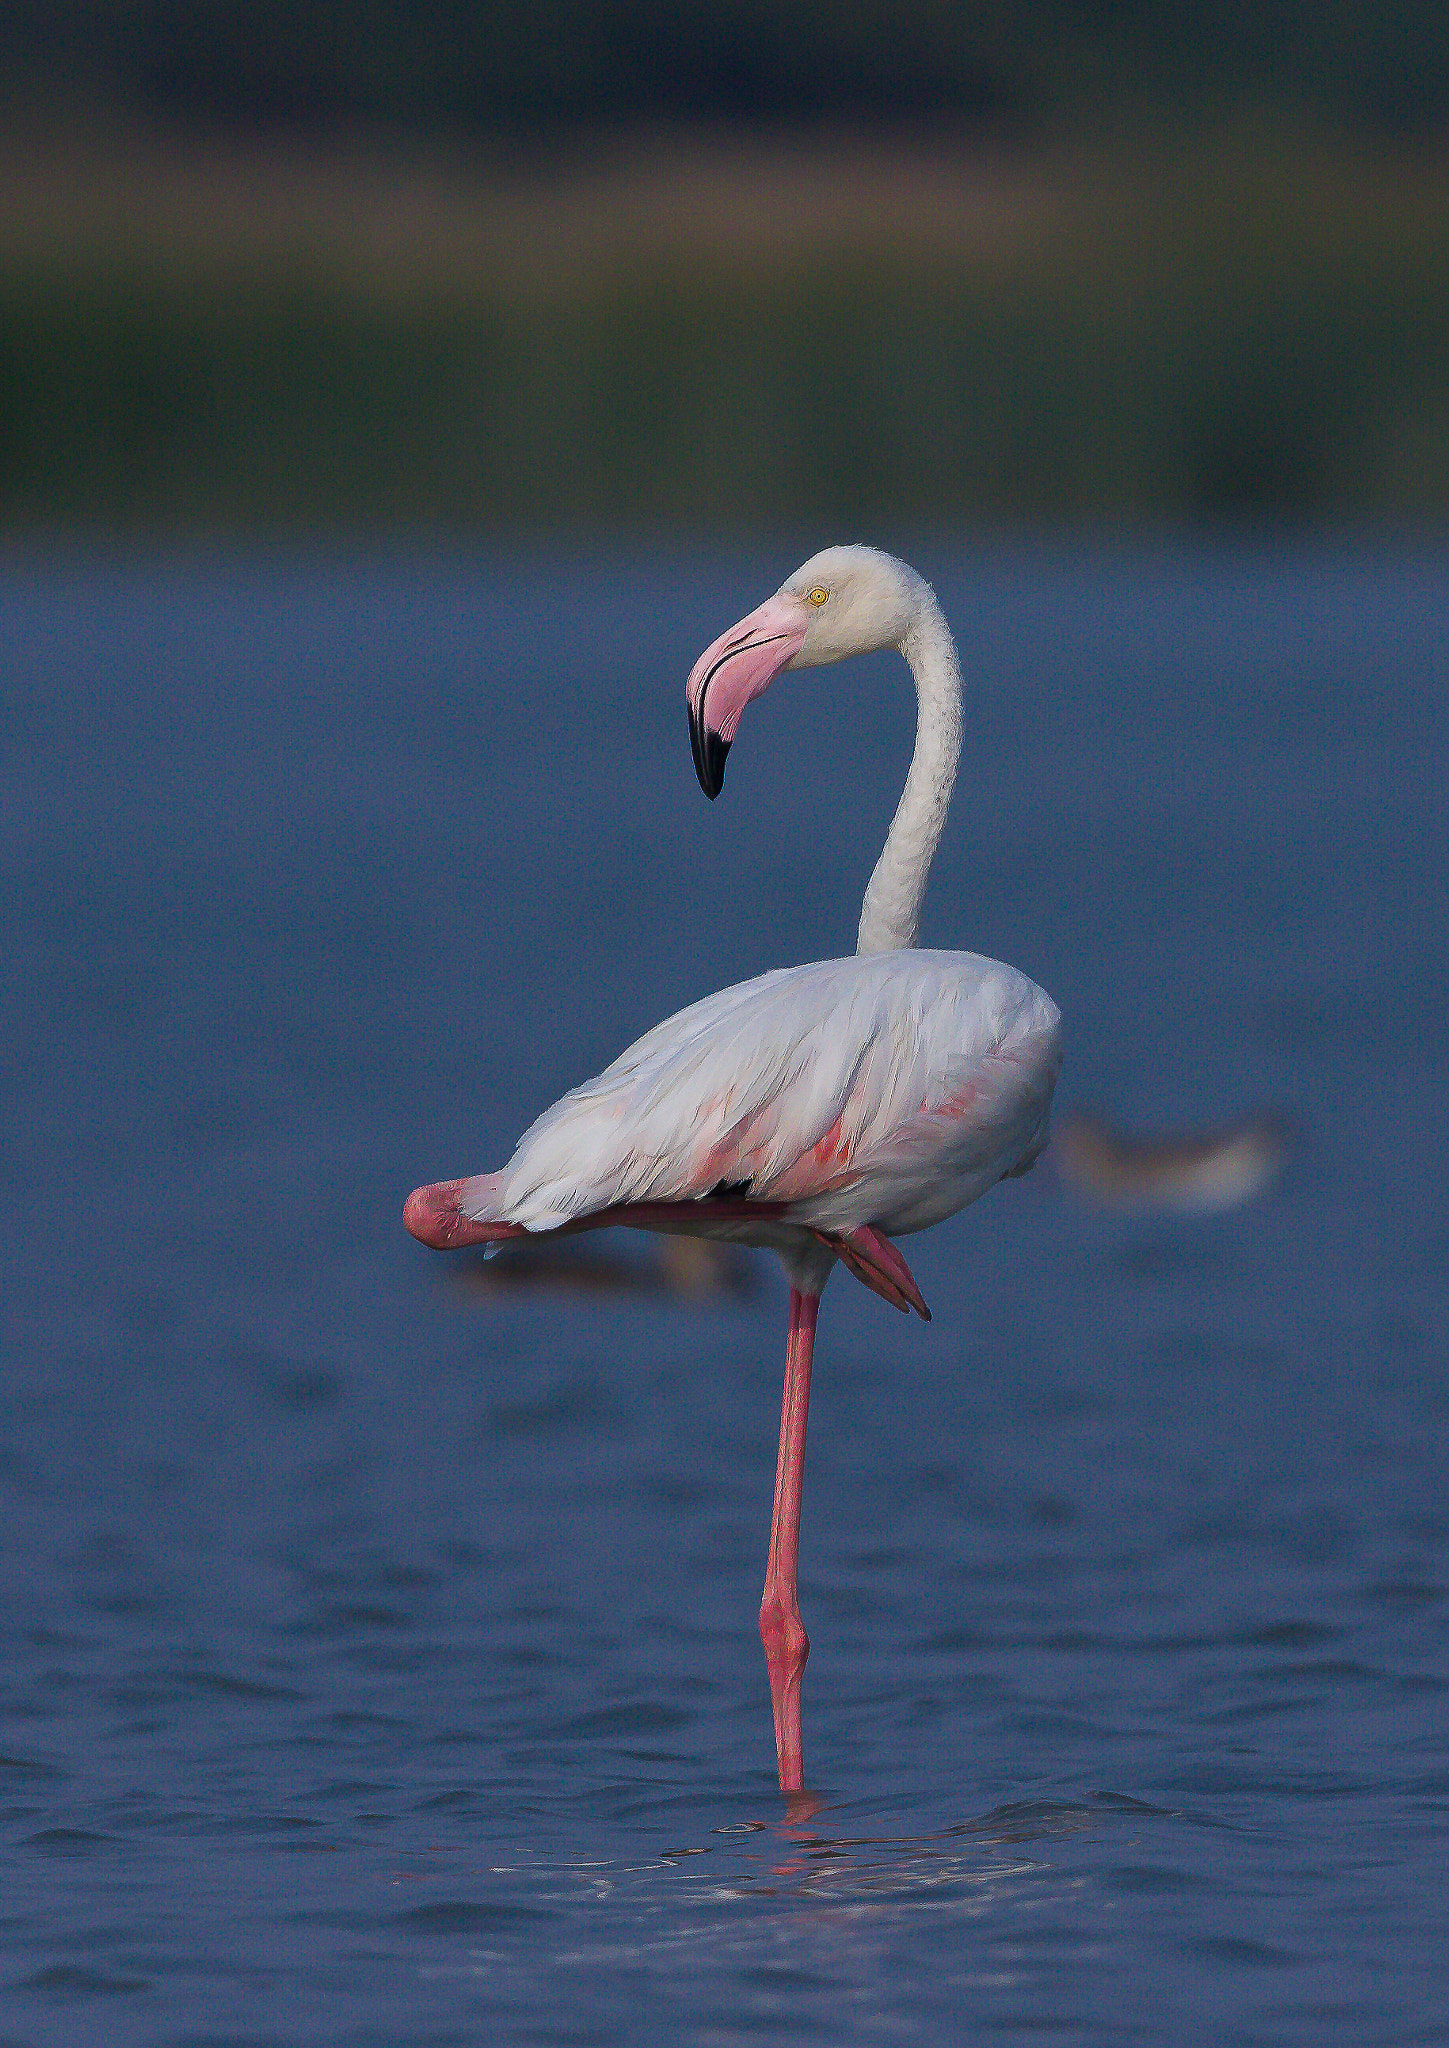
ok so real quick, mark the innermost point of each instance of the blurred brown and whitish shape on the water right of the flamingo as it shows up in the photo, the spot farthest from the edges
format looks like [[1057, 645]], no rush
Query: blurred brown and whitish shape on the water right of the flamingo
[[1188, 1175]]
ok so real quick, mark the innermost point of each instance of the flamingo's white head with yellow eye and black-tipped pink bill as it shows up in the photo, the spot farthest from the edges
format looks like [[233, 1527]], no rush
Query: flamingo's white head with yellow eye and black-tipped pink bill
[[838, 603]]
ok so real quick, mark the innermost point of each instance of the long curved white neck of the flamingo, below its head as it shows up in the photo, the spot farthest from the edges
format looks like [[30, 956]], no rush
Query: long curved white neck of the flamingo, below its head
[[891, 914]]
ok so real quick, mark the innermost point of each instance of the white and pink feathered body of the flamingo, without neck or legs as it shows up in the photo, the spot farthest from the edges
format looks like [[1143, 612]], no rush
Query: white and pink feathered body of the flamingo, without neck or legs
[[885, 1091]]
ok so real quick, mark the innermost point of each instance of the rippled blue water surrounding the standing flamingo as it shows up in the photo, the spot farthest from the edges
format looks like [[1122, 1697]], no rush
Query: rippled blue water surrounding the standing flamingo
[[382, 1644]]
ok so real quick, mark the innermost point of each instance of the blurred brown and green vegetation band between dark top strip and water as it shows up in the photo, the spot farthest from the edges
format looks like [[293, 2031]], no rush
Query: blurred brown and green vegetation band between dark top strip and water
[[1229, 339]]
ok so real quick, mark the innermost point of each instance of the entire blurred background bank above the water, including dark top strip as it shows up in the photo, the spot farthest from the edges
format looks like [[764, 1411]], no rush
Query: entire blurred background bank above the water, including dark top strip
[[484, 267]]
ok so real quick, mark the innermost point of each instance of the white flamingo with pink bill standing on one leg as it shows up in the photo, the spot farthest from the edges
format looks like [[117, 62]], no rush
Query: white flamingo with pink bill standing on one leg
[[820, 1111]]
